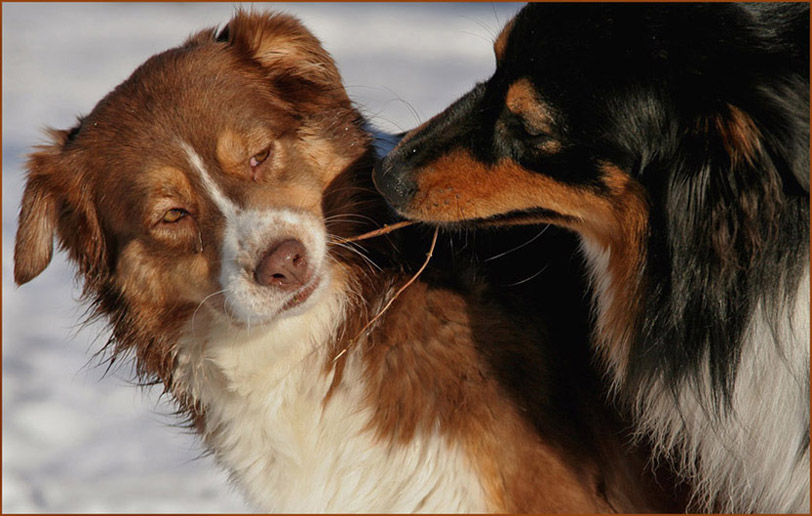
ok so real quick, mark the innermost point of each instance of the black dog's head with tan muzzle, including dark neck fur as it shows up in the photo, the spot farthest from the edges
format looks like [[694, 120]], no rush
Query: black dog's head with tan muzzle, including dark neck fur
[[675, 136]]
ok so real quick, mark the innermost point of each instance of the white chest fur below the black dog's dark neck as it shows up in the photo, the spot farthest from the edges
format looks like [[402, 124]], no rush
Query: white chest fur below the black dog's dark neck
[[749, 458]]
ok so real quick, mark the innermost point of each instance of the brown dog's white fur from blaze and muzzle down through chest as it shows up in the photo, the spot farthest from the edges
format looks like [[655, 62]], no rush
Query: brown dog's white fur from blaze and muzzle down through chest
[[263, 389]]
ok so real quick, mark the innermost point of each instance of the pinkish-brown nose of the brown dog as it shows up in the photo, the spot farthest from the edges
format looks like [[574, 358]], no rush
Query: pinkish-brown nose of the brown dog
[[284, 266]]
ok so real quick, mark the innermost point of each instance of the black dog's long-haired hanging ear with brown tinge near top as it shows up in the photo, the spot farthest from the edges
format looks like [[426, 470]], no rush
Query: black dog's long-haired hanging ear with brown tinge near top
[[734, 222]]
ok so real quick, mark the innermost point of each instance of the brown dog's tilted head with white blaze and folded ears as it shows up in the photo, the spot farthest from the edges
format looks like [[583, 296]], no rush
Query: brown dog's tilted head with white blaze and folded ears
[[201, 178]]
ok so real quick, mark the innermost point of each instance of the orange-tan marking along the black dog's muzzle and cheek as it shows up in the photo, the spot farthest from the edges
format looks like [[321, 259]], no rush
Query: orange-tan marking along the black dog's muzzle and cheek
[[456, 188]]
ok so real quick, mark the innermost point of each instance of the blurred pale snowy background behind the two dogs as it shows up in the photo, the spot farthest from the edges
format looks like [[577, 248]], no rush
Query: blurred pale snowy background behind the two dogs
[[75, 440]]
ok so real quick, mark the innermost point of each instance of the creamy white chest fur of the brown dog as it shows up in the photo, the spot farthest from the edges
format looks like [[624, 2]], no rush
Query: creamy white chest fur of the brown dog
[[267, 423]]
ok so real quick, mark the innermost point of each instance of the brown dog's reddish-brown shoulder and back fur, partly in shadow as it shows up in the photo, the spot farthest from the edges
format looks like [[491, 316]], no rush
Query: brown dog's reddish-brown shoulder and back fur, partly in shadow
[[439, 361]]
